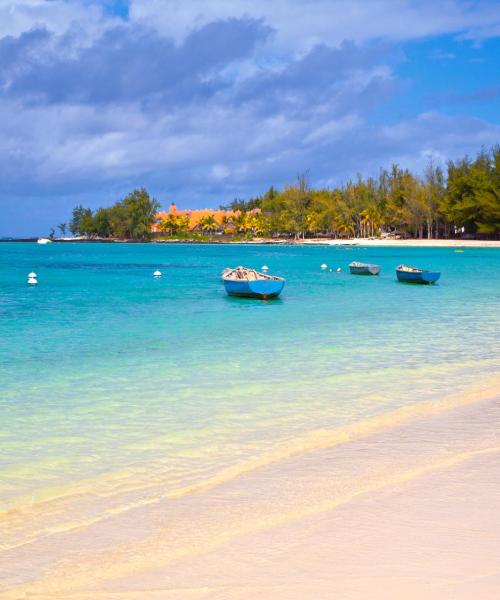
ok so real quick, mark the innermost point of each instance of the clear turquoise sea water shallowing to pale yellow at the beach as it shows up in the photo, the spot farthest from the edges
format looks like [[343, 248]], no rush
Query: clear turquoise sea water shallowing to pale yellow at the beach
[[118, 389]]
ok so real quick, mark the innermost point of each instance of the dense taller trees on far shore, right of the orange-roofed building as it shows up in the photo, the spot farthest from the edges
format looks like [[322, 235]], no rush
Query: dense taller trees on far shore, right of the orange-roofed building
[[464, 200]]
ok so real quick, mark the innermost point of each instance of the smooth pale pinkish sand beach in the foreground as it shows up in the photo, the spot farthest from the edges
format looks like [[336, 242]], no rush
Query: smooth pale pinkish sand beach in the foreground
[[398, 507]]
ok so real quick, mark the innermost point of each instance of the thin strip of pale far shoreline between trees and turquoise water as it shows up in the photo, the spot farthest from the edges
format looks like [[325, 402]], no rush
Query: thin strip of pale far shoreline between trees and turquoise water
[[424, 243]]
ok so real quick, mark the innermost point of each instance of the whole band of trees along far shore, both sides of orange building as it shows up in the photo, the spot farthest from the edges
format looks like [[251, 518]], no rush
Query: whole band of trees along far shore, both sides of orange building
[[464, 199]]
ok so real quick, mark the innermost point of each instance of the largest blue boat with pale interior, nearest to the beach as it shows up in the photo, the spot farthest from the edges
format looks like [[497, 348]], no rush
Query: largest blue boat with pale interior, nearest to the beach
[[249, 283]]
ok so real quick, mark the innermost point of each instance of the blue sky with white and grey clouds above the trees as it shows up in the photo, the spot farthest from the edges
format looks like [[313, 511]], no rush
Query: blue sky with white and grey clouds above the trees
[[203, 101]]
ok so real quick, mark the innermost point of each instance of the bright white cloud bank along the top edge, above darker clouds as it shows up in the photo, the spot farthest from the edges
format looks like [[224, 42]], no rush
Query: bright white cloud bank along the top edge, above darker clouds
[[299, 25]]
